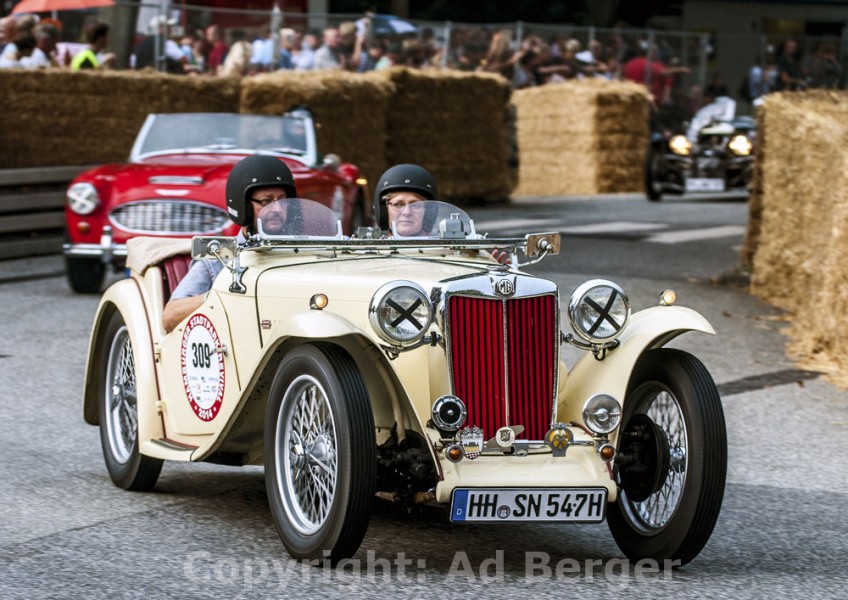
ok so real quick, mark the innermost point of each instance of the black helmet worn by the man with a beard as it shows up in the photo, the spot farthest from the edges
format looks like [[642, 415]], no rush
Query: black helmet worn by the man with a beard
[[256, 171]]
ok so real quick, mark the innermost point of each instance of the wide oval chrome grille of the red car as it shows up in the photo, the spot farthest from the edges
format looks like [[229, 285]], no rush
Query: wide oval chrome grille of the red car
[[169, 216]]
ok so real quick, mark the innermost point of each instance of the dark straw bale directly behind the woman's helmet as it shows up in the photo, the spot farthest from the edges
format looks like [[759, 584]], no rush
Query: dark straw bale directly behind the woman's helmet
[[454, 125]]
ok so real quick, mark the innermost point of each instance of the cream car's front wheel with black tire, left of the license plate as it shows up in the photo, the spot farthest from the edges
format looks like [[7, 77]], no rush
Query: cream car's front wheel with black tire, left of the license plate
[[320, 467]]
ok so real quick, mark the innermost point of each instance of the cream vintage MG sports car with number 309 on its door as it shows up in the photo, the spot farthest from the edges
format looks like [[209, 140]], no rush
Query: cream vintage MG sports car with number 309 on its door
[[415, 369]]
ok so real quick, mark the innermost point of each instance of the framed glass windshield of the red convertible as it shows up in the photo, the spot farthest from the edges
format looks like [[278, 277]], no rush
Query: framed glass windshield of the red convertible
[[207, 132]]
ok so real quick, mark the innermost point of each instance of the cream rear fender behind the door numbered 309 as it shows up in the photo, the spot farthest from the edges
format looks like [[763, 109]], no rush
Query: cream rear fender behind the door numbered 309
[[126, 297]]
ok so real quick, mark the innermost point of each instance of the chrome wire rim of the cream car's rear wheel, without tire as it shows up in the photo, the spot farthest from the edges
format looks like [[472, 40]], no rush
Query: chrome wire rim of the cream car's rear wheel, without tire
[[122, 417]]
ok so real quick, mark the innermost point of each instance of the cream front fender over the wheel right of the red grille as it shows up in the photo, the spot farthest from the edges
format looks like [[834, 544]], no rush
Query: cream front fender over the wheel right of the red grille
[[650, 328]]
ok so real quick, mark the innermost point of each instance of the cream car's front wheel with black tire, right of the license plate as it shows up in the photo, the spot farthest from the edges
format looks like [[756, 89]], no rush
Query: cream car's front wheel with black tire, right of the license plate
[[679, 474]]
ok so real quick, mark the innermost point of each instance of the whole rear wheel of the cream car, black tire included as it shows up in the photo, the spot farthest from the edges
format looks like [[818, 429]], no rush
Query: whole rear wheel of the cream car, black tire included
[[118, 413]]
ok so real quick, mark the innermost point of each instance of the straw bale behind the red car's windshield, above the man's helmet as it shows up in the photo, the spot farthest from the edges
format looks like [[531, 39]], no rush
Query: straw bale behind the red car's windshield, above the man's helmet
[[349, 110]]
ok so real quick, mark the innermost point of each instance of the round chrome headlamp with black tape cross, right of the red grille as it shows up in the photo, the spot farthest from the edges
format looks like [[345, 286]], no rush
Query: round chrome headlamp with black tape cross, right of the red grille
[[598, 310]]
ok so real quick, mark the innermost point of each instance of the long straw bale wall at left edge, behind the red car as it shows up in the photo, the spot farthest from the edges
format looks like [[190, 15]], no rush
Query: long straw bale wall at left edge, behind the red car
[[58, 117]]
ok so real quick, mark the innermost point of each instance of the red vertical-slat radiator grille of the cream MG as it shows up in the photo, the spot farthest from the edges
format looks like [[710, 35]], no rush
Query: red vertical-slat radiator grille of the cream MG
[[504, 365]]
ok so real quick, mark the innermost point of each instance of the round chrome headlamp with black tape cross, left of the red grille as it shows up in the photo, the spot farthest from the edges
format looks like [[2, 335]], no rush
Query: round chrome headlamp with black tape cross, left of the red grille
[[400, 312]]
